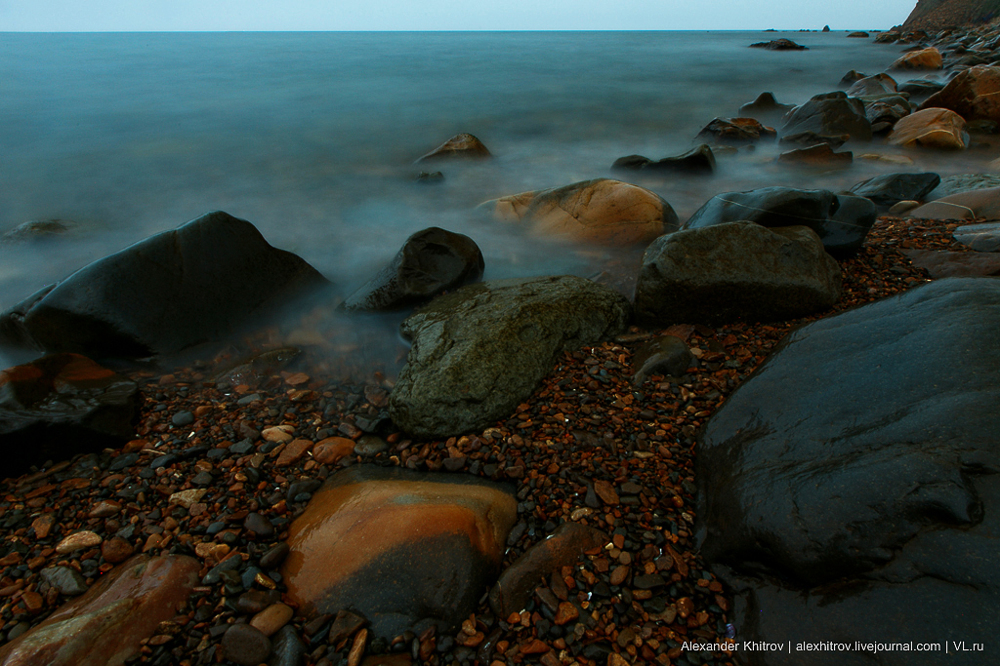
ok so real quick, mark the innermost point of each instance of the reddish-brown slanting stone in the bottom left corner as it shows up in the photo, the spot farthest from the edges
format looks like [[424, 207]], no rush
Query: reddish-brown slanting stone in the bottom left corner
[[104, 626]]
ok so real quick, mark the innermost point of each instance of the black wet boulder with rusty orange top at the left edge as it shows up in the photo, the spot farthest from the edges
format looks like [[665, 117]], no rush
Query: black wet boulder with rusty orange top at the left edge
[[62, 405]]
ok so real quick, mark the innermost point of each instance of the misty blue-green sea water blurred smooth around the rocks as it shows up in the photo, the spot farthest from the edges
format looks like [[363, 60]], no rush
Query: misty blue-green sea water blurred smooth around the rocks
[[312, 136]]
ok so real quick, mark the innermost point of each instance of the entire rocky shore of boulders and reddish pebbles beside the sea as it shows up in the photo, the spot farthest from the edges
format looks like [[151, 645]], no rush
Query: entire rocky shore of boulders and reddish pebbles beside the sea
[[603, 479]]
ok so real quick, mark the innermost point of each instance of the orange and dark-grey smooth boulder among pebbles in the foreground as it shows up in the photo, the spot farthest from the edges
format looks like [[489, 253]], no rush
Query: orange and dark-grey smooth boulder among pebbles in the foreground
[[407, 550]]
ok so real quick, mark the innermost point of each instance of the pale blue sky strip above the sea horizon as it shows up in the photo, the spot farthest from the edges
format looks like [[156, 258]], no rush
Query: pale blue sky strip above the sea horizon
[[184, 15]]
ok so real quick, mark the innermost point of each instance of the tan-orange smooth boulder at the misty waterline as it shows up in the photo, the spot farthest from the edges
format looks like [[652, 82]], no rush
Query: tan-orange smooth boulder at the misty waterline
[[602, 210]]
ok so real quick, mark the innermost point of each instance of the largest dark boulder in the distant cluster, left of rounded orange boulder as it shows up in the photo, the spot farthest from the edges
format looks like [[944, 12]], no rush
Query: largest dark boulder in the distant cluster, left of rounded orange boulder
[[830, 117]]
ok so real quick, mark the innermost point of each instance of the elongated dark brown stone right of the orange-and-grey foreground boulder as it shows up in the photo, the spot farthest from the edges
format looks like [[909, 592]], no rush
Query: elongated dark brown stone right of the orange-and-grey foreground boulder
[[516, 584]]
